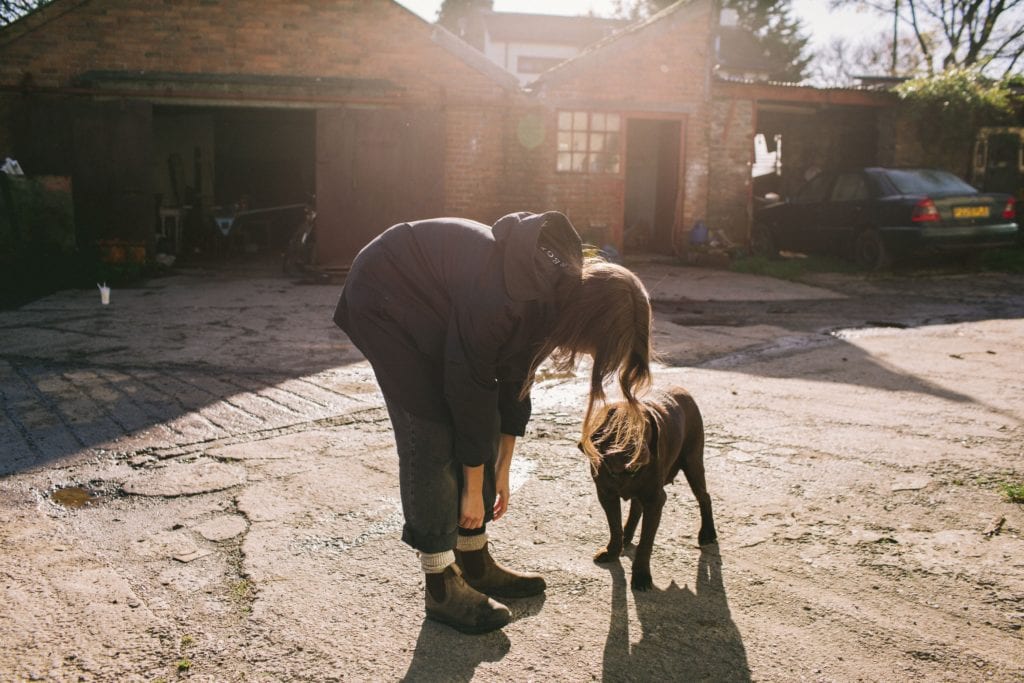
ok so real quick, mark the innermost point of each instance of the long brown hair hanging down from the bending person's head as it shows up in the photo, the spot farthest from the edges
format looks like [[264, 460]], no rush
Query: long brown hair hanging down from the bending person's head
[[608, 317]]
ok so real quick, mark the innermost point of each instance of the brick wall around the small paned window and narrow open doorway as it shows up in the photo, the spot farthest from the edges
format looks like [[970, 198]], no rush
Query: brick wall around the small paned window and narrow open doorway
[[662, 67]]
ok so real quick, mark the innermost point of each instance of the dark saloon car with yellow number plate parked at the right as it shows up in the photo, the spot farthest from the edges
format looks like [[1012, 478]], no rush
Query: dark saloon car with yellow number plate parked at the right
[[876, 216]]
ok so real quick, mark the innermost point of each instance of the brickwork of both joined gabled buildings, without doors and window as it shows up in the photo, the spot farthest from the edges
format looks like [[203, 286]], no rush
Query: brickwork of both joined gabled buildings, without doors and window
[[500, 147]]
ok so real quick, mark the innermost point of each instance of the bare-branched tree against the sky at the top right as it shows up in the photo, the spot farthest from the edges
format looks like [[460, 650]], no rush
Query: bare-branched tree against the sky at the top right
[[988, 34]]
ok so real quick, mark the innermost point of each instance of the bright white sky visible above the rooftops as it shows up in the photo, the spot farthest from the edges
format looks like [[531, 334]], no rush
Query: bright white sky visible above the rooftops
[[821, 23]]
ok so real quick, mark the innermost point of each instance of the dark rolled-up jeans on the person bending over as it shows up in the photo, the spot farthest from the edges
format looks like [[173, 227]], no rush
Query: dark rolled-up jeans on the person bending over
[[431, 480]]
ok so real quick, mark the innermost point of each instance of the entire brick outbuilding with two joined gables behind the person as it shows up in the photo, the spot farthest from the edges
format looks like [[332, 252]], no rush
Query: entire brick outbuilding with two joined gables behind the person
[[199, 109]]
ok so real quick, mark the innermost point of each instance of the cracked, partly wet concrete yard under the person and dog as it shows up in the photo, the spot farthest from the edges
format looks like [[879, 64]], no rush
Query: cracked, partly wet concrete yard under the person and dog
[[199, 483]]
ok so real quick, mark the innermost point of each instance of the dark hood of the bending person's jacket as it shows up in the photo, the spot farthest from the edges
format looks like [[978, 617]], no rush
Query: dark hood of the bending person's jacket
[[543, 253]]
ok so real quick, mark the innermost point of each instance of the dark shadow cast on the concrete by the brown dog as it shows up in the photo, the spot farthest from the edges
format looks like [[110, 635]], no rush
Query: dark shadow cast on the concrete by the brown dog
[[686, 635]]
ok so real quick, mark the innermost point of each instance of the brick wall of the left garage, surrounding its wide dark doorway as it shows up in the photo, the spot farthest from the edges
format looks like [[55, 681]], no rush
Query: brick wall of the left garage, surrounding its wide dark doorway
[[333, 39]]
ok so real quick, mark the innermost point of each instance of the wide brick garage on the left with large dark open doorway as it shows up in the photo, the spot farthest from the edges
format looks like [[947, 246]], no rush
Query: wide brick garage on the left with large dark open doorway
[[195, 111]]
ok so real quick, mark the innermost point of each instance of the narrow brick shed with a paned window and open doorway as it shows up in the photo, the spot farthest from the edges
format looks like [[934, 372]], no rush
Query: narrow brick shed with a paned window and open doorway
[[628, 161]]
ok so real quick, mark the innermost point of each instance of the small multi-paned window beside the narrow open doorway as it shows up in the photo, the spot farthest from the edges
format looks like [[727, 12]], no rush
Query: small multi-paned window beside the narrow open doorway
[[589, 143]]
